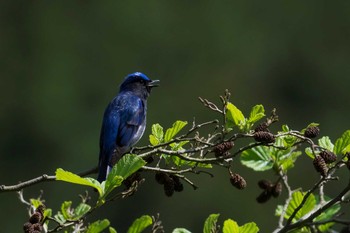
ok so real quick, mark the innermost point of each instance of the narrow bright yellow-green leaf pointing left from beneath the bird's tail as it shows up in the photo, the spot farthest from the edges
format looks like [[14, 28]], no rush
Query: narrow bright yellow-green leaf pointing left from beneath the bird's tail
[[75, 179]]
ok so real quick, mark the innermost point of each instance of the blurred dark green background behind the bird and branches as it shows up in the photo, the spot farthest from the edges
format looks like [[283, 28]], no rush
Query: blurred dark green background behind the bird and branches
[[62, 62]]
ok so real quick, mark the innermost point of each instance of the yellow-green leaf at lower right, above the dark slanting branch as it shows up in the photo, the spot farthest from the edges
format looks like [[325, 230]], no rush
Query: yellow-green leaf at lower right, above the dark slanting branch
[[296, 200]]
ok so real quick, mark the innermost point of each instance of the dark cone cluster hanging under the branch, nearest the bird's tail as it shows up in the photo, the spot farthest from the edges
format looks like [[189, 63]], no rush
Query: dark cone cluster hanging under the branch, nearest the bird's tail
[[171, 183]]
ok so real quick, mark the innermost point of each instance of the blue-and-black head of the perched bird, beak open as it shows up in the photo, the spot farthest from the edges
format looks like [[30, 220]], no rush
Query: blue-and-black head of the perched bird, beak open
[[138, 83]]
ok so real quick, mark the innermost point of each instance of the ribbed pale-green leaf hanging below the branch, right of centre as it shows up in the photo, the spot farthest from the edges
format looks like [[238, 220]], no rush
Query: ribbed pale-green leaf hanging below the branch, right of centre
[[257, 158]]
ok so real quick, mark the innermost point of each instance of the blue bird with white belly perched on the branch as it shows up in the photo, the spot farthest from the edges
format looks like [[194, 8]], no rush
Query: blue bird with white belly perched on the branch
[[124, 121]]
